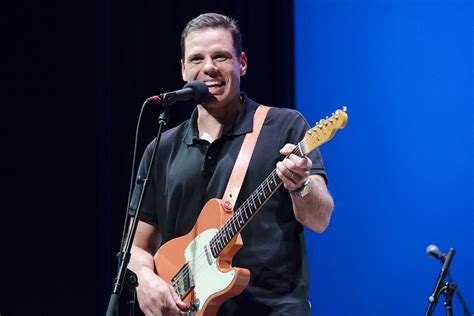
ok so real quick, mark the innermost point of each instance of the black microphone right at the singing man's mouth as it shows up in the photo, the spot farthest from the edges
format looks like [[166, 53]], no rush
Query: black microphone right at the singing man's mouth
[[196, 90]]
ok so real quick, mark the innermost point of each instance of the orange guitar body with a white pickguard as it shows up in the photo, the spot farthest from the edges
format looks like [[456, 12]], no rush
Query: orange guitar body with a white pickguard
[[170, 259]]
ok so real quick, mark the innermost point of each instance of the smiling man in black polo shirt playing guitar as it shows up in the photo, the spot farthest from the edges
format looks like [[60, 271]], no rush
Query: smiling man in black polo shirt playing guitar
[[193, 165]]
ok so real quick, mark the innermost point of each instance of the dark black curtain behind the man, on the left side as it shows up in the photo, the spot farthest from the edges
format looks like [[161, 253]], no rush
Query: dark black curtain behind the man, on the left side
[[77, 74]]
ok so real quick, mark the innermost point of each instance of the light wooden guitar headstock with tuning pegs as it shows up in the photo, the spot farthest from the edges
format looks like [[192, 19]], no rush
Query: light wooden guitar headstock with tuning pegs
[[324, 130]]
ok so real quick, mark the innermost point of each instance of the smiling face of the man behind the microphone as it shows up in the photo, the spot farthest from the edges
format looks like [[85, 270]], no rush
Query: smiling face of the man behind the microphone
[[210, 57]]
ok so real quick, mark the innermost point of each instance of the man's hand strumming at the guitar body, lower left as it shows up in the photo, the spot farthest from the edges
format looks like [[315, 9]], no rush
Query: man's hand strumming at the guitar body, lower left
[[157, 297]]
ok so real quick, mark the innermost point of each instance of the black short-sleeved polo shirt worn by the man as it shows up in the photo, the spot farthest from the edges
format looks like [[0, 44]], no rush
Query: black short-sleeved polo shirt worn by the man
[[189, 171]]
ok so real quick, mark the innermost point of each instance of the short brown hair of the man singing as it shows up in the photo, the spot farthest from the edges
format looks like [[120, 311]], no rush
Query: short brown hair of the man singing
[[213, 20]]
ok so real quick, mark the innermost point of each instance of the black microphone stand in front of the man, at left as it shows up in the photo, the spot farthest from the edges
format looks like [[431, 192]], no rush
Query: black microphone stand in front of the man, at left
[[123, 272]]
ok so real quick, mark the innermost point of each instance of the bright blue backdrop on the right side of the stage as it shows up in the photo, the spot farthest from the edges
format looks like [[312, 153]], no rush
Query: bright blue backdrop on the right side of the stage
[[401, 171]]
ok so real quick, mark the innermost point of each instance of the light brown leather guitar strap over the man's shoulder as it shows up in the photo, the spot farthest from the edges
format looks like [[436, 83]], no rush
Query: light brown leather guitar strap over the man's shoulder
[[241, 164]]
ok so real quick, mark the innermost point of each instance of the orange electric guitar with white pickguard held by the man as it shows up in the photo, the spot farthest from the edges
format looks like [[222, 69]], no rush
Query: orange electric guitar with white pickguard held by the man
[[199, 264]]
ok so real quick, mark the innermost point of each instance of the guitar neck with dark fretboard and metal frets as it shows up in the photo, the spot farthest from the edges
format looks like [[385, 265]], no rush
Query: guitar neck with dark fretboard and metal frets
[[248, 209]]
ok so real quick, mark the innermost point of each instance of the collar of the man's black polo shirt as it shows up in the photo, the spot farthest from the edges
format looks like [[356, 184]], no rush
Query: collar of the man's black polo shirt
[[243, 124]]
